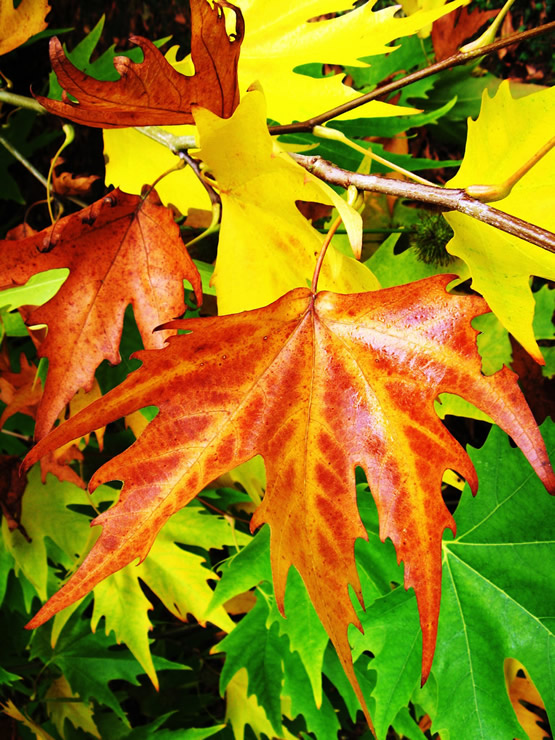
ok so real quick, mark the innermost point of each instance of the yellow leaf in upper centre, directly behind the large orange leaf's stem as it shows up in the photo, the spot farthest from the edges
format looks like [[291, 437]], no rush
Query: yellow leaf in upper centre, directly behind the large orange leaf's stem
[[266, 246]]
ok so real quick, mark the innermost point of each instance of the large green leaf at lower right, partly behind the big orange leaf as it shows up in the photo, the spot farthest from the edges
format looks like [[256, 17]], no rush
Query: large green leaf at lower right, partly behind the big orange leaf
[[497, 588]]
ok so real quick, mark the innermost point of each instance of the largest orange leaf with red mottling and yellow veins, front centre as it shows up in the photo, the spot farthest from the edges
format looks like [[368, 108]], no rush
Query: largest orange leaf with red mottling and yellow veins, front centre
[[317, 385]]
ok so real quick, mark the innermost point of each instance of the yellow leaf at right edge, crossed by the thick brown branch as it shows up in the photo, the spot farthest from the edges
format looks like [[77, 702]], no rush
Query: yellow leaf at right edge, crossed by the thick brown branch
[[507, 133]]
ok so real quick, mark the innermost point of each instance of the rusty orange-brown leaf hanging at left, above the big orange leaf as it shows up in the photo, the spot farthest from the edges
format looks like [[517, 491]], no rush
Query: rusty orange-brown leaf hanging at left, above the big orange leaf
[[122, 249]]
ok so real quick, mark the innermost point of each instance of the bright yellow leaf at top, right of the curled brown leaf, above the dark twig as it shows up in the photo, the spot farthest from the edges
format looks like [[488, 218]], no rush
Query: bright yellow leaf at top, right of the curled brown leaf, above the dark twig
[[276, 44]]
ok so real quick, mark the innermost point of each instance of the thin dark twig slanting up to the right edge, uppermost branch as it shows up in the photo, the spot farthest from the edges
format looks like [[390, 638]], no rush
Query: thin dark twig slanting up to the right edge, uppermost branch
[[452, 61]]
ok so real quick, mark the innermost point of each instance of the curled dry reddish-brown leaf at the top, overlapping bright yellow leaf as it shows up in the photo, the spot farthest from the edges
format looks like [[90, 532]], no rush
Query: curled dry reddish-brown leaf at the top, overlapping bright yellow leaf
[[152, 93]]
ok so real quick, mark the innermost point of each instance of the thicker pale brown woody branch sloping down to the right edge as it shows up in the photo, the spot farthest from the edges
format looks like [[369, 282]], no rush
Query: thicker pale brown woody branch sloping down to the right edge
[[449, 199]]
